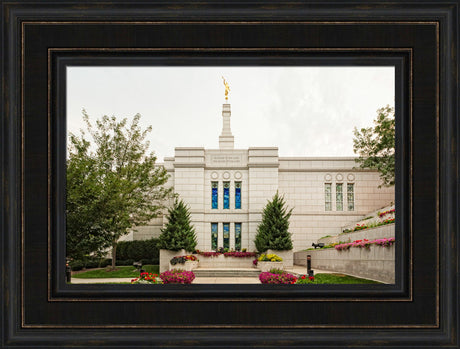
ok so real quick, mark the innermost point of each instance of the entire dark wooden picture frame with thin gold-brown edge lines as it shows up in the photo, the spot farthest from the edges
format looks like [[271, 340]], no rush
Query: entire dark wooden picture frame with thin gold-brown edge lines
[[41, 38]]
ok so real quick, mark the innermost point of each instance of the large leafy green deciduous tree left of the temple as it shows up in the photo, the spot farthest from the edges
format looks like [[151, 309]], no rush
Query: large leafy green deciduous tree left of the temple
[[113, 184]]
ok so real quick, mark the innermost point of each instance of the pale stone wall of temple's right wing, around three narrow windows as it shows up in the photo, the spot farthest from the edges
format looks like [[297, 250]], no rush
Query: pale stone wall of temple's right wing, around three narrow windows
[[301, 181]]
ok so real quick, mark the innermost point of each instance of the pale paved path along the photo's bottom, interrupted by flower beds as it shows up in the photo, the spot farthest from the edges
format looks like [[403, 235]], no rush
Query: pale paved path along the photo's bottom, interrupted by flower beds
[[296, 269]]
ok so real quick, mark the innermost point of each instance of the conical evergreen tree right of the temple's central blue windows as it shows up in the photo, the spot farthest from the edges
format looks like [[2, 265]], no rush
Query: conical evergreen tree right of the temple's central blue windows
[[272, 232]]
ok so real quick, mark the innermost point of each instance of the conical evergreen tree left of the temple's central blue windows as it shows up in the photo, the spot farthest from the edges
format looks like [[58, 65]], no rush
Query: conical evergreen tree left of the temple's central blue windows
[[178, 233]]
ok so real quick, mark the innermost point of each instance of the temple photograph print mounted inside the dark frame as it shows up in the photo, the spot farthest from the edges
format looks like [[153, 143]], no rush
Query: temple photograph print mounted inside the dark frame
[[227, 177]]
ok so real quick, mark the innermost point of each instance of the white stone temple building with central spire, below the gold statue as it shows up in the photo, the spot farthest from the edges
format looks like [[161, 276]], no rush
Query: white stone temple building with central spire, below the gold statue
[[227, 189]]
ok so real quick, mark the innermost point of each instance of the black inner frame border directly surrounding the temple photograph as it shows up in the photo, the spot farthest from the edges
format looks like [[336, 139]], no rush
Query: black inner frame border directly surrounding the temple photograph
[[401, 59]]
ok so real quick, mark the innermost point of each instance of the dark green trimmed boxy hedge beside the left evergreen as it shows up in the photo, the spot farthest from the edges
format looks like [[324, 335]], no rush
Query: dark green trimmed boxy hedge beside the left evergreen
[[138, 250]]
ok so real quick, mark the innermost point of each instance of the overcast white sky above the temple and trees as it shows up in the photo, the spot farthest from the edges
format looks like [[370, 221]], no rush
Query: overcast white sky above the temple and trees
[[305, 111]]
